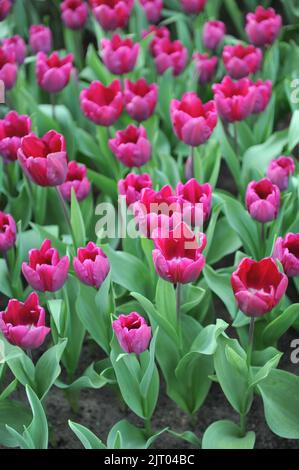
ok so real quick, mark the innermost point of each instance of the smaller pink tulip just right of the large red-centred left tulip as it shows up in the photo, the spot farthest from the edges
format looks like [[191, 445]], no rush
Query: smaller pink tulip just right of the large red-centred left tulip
[[77, 180]]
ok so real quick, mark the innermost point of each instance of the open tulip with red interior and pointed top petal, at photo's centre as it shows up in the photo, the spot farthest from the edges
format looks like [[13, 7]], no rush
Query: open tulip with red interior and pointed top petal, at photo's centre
[[178, 258]]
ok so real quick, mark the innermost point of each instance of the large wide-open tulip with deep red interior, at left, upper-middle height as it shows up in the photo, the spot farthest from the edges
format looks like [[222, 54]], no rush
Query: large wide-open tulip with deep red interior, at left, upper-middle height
[[44, 159]]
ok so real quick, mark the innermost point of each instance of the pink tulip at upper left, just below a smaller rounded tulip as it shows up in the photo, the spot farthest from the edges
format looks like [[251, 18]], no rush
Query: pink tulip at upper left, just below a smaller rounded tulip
[[53, 73]]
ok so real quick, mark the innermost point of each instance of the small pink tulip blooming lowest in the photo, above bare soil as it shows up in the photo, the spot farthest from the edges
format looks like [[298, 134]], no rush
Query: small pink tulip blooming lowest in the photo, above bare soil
[[132, 332]]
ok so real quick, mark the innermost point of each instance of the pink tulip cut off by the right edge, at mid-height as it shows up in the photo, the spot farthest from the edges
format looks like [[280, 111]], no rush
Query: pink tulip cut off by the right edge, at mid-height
[[286, 250]]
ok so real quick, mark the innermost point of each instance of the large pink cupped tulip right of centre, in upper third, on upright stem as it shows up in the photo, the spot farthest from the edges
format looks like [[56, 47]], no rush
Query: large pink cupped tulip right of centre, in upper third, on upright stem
[[193, 121]]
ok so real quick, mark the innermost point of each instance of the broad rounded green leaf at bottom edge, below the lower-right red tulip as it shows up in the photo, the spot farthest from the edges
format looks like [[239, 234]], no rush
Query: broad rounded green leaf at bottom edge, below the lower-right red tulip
[[225, 434]]
